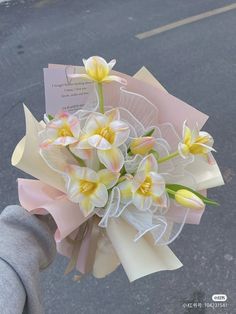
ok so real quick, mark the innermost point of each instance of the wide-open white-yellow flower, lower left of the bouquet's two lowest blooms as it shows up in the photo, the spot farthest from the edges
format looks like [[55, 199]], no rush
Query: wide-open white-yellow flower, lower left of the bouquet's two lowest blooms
[[89, 188]]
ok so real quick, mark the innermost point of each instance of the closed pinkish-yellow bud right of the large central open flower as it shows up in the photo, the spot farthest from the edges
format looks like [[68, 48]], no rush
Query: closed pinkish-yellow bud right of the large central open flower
[[142, 145]]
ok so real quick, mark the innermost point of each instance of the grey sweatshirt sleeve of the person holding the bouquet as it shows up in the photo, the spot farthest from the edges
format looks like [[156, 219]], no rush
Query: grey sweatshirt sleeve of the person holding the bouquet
[[26, 247]]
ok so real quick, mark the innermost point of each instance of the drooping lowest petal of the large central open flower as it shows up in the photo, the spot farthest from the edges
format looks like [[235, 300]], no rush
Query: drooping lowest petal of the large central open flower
[[112, 159]]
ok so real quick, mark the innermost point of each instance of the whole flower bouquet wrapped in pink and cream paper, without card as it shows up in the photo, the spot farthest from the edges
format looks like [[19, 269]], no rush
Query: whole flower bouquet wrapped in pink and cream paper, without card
[[121, 177]]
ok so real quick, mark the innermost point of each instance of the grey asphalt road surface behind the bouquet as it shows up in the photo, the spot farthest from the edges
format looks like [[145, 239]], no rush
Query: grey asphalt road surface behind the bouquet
[[195, 62]]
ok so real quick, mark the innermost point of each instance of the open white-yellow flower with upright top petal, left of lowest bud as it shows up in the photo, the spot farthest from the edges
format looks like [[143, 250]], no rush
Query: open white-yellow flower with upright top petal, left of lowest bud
[[146, 188]]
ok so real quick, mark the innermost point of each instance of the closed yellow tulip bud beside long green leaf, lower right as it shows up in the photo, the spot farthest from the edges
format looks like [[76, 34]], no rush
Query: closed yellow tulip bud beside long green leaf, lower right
[[188, 199]]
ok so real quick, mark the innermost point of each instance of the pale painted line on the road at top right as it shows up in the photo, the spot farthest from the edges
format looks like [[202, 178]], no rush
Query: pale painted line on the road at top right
[[188, 20]]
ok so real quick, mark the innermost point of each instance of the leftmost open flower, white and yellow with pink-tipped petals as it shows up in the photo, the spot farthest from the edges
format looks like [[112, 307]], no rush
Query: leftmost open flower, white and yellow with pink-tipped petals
[[63, 130]]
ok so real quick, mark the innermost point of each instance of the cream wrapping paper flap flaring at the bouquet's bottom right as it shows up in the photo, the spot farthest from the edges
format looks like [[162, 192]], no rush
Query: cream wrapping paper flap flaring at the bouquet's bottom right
[[139, 258]]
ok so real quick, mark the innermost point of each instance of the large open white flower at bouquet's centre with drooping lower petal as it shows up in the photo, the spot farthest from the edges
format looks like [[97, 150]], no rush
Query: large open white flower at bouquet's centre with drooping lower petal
[[104, 133]]
